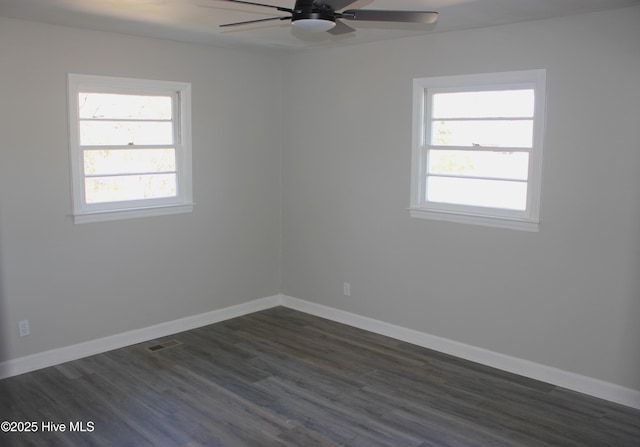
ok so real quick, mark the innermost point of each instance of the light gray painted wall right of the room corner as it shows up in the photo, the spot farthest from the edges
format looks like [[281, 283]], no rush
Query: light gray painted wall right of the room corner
[[566, 297]]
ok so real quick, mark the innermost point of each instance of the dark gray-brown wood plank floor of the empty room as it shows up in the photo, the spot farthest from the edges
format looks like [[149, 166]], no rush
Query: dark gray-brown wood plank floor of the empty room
[[284, 378]]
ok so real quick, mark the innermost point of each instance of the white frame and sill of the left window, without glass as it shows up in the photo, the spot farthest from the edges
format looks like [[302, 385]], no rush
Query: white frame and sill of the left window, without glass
[[84, 212]]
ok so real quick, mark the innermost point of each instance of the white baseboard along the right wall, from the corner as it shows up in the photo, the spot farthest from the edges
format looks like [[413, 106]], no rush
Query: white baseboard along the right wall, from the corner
[[576, 382]]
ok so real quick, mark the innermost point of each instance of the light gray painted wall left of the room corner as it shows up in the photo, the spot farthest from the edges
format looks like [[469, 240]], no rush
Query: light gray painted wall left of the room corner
[[81, 282]]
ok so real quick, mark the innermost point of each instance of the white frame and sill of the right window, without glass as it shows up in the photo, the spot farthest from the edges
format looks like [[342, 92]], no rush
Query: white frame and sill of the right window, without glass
[[528, 219]]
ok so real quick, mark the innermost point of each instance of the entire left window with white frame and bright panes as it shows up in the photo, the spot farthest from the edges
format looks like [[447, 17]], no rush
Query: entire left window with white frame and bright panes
[[130, 143]]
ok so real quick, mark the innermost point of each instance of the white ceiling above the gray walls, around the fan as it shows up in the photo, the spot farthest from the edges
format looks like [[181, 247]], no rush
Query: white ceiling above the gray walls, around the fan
[[199, 20]]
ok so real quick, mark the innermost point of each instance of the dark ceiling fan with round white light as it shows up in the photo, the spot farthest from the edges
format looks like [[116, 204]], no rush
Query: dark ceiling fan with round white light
[[323, 15]]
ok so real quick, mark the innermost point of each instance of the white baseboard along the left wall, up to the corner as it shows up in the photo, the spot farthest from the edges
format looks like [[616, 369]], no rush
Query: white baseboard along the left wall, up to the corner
[[97, 346]]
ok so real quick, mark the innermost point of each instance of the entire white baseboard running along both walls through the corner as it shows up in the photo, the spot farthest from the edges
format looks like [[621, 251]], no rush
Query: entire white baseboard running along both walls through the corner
[[554, 376]]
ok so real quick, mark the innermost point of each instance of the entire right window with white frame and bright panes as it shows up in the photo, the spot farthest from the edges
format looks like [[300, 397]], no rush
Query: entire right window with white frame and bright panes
[[477, 148]]
